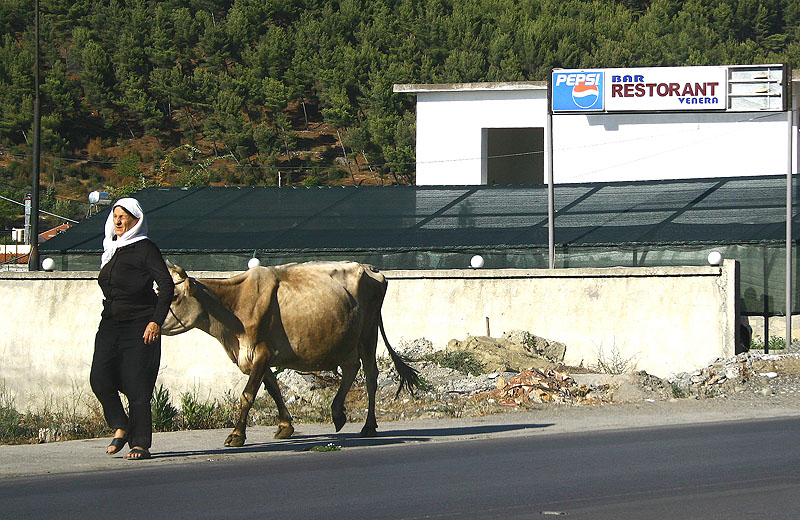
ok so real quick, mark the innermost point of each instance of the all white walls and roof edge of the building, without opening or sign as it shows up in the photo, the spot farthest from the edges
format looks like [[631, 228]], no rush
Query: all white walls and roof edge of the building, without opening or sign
[[594, 148]]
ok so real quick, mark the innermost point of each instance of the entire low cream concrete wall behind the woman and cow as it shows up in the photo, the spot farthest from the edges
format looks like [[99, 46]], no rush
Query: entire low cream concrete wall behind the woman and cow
[[666, 319]]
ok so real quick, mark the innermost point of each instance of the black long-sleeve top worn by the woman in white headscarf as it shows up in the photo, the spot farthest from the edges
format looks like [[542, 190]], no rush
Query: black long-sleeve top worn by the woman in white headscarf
[[127, 284]]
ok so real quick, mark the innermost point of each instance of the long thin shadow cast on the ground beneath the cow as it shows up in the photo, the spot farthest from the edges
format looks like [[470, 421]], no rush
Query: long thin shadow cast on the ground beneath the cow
[[300, 442]]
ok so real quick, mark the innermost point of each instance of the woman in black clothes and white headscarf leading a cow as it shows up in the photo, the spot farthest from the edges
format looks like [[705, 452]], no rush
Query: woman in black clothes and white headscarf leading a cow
[[127, 348]]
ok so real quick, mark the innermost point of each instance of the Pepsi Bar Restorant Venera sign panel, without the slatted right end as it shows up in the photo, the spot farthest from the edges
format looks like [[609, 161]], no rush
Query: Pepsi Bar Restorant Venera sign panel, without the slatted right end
[[640, 89]]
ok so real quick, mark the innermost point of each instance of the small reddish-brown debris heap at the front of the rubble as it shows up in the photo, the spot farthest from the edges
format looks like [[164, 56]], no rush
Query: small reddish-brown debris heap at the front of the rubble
[[549, 386]]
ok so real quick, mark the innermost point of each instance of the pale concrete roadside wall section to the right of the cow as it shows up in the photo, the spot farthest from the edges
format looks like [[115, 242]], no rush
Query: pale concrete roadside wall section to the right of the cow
[[663, 320]]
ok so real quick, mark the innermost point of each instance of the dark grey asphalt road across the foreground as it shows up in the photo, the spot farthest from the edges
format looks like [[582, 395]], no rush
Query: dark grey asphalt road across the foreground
[[727, 470]]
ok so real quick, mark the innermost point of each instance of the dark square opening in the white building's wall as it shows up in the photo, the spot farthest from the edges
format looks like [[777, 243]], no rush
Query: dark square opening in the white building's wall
[[513, 155]]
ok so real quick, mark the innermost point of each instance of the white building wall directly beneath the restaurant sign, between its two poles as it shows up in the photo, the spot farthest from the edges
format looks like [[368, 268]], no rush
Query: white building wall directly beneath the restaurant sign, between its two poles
[[634, 147]]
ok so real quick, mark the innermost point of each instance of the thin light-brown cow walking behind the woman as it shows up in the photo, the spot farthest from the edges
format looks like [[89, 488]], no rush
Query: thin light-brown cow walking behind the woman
[[310, 316]]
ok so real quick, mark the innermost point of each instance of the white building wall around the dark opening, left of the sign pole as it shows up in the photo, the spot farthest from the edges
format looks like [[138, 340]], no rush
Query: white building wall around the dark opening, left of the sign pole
[[449, 128]]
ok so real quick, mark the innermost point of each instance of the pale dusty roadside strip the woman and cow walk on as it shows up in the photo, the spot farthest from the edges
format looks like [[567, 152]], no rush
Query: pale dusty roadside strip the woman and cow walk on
[[205, 446]]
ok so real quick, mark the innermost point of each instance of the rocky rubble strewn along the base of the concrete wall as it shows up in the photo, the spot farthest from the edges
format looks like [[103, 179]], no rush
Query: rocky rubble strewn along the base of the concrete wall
[[522, 371]]
